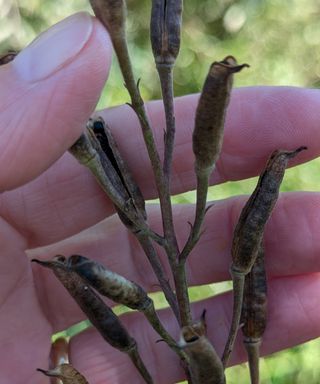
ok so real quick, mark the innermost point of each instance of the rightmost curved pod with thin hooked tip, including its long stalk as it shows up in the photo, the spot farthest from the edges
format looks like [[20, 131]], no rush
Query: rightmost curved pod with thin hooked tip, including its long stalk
[[249, 231]]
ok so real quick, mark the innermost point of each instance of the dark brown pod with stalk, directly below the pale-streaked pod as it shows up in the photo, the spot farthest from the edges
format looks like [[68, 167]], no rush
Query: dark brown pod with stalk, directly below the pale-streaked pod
[[101, 316]]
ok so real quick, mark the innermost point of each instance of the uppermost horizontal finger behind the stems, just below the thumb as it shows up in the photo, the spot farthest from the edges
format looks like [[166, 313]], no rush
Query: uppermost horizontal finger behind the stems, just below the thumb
[[258, 121]]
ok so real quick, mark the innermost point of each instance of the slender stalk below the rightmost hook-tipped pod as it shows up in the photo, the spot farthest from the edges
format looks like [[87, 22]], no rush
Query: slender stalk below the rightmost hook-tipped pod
[[238, 279]]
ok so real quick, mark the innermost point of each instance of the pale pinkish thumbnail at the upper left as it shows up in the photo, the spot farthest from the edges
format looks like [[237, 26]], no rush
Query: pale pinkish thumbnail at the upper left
[[54, 48]]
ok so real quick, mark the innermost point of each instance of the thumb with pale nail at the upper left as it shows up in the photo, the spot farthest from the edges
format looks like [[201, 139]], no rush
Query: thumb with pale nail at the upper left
[[47, 94]]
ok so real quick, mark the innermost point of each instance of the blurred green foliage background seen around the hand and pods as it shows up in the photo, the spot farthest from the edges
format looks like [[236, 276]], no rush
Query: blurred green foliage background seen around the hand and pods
[[280, 40]]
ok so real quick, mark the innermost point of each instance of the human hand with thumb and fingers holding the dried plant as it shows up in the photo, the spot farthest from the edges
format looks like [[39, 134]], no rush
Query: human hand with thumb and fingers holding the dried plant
[[41, 119]]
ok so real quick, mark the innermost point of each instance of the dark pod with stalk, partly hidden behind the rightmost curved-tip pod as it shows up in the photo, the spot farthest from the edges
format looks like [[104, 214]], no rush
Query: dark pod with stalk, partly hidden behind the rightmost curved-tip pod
[[254, 313]]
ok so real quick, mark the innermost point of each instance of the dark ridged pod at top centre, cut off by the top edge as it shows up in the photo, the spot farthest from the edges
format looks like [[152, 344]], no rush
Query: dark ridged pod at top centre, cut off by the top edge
[[165, 30]]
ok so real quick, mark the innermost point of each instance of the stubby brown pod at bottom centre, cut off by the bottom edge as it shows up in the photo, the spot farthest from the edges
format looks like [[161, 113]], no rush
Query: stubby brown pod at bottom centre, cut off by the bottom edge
[[204, 363]]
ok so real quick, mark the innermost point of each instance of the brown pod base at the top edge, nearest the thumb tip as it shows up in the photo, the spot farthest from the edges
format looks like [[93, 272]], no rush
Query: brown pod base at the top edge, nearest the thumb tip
[[112, 14]]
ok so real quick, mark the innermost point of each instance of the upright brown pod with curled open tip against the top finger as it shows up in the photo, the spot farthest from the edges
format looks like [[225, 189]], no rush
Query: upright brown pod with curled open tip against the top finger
[[210, 113]]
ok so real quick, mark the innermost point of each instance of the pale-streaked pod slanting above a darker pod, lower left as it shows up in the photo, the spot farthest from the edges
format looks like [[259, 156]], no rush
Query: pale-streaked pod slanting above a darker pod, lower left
[[109, 284]]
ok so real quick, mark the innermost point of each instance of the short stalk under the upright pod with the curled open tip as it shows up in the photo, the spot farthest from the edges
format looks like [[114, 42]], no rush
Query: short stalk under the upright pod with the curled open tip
[[202, 191]]
